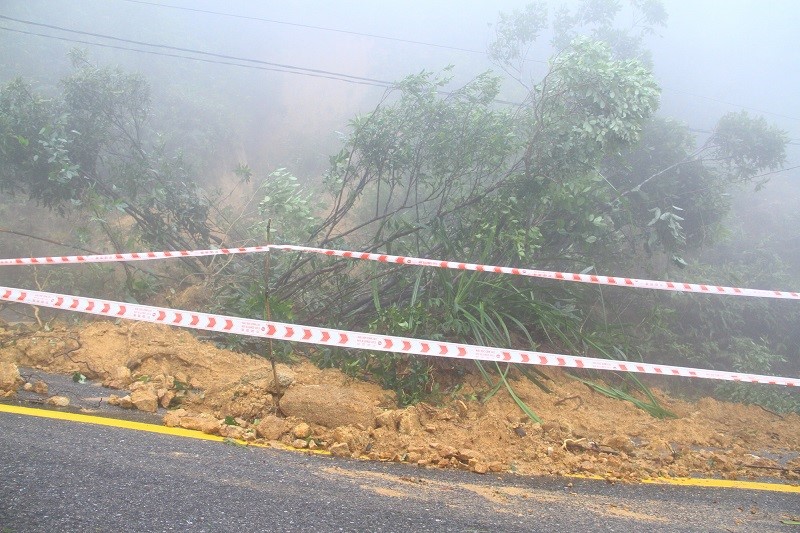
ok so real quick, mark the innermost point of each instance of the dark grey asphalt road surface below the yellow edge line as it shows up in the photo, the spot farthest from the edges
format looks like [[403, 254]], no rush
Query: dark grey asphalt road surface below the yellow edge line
[[64, 476]]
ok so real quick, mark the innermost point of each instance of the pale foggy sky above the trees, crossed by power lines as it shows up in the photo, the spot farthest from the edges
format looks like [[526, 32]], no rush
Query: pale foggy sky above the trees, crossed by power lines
[[713, 56]]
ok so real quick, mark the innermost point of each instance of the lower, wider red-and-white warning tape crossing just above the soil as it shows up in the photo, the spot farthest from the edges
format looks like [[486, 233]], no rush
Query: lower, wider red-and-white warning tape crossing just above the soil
[[363, 341]]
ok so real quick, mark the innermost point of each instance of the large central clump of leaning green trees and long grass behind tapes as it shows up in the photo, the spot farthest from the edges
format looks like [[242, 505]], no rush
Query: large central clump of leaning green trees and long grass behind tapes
[[574, 177]]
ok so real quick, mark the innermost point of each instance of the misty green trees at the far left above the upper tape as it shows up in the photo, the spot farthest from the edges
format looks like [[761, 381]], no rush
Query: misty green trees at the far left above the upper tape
[[90, 148]]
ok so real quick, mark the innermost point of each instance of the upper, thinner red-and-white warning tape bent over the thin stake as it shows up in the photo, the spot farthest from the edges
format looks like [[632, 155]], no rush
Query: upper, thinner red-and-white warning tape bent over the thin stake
[[394, 259]]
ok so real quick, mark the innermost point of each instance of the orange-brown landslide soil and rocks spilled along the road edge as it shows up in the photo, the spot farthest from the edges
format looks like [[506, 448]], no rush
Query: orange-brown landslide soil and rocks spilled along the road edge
[[199, 386]]
